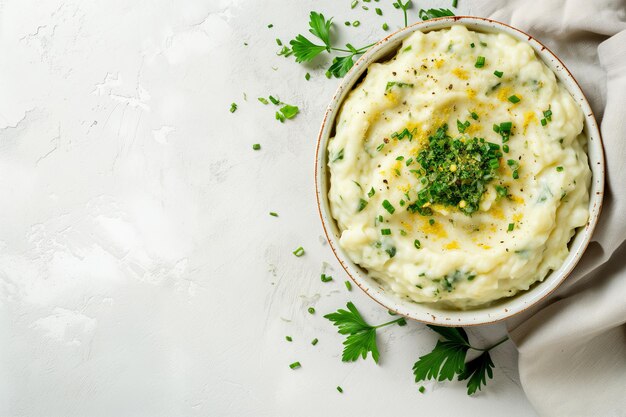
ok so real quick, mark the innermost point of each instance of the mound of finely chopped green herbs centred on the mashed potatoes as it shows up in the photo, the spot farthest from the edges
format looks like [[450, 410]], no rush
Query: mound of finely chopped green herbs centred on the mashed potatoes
[[455, 172]]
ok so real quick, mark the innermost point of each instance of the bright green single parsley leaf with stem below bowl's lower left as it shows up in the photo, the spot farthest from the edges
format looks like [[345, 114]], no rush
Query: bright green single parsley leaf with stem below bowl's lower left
[[361, 335]]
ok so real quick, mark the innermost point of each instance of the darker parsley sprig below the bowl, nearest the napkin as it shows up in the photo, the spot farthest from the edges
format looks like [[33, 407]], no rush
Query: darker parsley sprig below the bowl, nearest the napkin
[[447, 360]]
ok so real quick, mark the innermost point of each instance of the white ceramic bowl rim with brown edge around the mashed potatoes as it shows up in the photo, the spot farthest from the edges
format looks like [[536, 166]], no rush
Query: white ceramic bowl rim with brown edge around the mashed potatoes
[[481, 315]]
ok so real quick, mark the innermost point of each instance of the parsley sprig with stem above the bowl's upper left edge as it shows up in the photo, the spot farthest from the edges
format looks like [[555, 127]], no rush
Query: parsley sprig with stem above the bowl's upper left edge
[[305, 50]]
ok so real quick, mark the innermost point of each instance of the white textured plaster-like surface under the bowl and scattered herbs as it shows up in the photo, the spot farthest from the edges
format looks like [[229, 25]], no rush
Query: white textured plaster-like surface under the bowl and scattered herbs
[[140, 273]]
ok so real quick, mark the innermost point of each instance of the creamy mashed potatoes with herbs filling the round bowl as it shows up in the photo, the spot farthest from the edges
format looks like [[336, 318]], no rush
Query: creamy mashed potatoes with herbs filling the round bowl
[[438, 248]]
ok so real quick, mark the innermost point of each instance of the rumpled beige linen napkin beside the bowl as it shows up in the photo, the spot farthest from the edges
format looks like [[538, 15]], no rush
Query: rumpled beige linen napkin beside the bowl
[[572, 348]]
